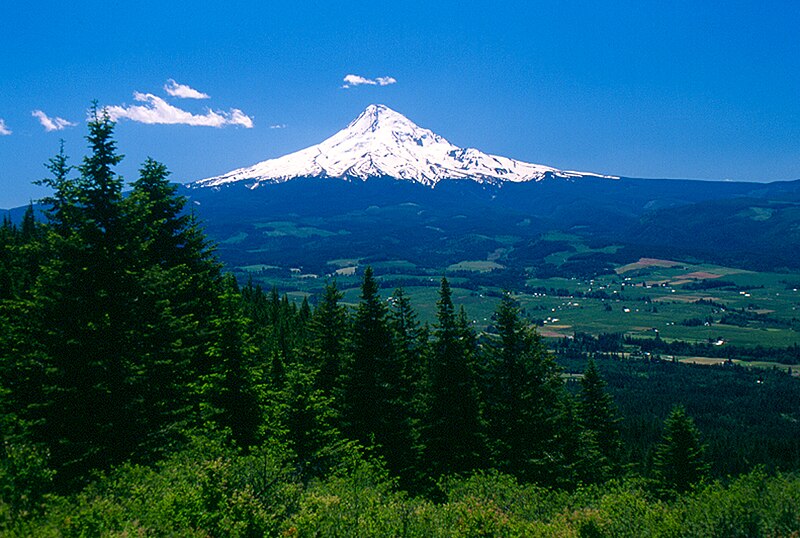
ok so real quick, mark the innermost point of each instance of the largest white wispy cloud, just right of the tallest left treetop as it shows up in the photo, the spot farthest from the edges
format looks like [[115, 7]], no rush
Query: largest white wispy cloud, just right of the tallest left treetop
[[157, 111]]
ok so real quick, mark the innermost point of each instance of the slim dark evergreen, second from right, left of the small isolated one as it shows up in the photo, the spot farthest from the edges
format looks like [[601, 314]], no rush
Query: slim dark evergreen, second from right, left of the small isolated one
[[598, 417]]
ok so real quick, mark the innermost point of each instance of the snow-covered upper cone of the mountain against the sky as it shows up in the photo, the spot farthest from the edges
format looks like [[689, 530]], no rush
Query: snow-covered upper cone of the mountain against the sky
[[383, 143]]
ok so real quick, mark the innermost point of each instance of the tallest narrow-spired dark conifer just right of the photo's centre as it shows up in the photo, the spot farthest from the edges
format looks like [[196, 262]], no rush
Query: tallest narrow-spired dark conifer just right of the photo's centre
[[453, 430]]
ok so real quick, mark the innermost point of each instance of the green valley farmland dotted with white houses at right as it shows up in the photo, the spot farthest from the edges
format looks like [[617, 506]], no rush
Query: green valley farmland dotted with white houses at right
[[657, 299]]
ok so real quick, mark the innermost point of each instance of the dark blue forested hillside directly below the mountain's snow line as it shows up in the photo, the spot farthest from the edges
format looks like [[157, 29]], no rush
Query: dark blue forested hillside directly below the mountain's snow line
[[744, 224]]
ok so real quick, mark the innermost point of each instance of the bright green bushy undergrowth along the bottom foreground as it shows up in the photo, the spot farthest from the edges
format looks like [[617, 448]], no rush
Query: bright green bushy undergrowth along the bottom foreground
[[212, 489]]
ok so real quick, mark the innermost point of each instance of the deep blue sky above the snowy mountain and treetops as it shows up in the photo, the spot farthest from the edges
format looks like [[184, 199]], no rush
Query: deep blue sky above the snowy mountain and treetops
[[689, 89]]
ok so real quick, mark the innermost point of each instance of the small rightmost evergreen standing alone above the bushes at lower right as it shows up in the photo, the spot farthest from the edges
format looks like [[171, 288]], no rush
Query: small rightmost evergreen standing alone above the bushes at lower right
[[679, 461]]
